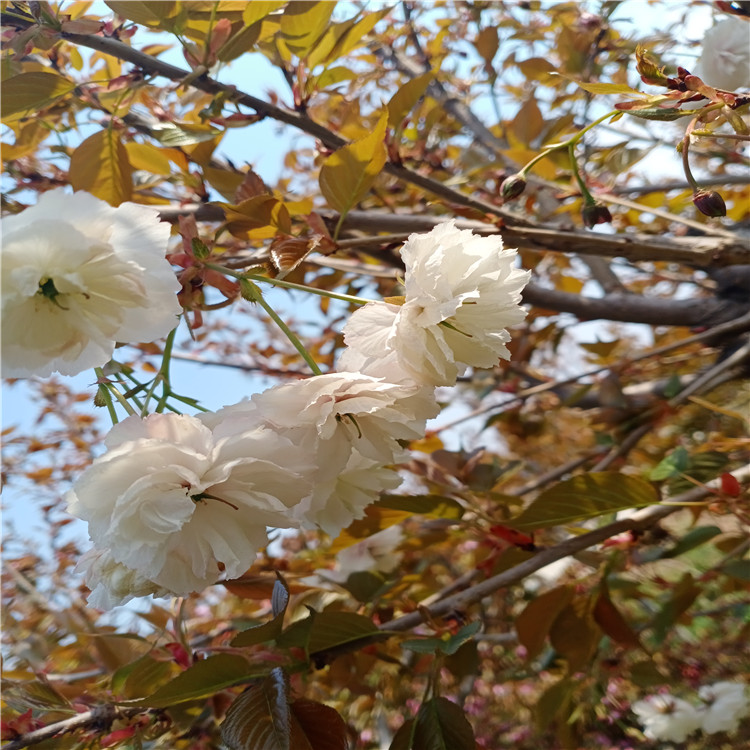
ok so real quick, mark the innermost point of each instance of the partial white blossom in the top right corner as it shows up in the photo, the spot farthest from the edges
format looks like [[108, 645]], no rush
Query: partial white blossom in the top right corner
[[725, 60]]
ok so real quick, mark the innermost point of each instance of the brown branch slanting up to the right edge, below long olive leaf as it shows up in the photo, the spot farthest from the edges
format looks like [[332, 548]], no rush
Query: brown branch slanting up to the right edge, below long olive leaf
[[638, 522]]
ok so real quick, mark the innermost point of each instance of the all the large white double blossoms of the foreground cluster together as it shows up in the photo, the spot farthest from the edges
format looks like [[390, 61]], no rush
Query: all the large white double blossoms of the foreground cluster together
[[178, 502]]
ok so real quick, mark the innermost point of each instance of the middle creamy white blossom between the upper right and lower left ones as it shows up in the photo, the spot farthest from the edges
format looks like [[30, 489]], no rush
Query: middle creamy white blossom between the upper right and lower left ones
[[349, 425]]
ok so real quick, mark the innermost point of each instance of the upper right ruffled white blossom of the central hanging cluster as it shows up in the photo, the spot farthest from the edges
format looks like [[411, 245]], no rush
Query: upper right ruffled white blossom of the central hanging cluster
[[461, 293]]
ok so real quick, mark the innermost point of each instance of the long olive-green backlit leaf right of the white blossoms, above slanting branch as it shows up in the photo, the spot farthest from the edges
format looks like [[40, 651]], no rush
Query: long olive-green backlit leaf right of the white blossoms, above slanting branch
[[585, 496]]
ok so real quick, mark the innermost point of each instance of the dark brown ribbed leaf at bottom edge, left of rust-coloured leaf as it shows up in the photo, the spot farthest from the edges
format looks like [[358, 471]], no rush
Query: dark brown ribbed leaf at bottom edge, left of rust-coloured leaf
[[259, 718]]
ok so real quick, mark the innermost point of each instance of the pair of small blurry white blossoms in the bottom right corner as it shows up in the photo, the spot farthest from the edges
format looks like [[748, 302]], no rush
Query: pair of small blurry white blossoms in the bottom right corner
[[666, 718]]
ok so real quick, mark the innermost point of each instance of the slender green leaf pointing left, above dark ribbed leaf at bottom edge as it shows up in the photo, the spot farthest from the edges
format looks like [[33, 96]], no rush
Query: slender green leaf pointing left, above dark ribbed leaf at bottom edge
[[201, 680]]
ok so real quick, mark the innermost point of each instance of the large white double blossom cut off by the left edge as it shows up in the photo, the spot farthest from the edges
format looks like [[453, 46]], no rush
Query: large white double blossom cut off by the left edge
[[79, 275]]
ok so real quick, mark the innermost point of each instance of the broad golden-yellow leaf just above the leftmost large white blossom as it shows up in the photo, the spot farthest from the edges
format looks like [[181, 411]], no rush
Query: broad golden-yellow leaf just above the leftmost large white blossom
[[101, 166]]
